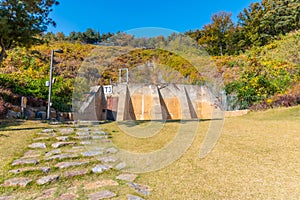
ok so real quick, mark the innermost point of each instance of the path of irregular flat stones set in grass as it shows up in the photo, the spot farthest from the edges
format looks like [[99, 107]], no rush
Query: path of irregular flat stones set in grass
[[64, 154]]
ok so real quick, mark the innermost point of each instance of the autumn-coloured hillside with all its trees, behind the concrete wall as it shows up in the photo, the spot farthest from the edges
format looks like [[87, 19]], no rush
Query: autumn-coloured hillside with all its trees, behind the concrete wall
[[257, 57]]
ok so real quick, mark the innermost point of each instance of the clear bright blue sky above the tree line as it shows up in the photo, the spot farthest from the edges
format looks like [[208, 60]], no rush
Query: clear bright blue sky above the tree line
[[112, 16]]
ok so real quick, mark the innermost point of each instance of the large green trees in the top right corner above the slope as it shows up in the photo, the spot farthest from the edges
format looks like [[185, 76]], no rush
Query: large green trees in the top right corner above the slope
[[262, 22]]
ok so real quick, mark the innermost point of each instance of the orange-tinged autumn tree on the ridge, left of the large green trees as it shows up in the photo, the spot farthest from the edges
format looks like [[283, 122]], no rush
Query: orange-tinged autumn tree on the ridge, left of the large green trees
[[216, 35]]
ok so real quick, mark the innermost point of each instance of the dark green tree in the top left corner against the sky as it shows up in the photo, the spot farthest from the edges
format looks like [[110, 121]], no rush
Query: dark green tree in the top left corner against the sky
[[22, 21]]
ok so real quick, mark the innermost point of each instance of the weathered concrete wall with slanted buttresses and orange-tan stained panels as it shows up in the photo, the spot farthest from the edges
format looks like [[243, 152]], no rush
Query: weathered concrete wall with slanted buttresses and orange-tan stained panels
[[149, 102]]
